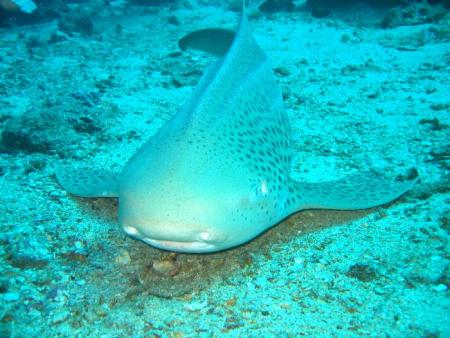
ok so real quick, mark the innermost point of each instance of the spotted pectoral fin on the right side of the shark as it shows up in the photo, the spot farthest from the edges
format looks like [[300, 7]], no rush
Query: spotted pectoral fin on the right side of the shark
[[359, 191]]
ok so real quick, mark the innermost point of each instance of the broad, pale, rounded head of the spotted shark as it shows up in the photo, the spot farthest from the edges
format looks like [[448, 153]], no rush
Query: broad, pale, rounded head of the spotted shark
[[182, 208]]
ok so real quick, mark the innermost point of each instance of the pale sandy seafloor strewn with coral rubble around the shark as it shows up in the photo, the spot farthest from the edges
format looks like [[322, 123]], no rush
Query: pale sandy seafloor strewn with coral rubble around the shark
[[357, 96]]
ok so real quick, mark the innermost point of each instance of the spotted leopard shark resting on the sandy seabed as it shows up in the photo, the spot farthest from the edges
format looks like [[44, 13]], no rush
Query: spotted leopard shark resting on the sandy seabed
[[217, 174]]
